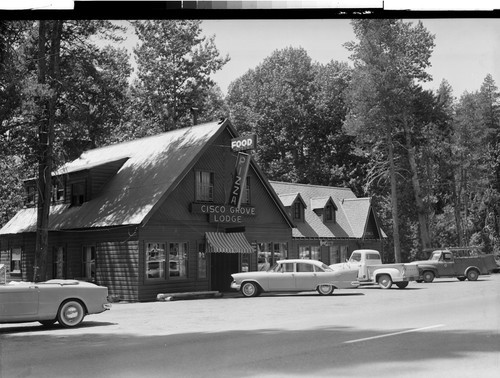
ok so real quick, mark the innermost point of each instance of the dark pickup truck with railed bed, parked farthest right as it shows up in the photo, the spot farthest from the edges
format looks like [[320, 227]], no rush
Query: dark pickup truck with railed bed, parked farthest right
[[463, 263]]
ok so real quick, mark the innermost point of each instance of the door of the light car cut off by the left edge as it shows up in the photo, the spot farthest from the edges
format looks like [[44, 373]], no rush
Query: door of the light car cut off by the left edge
[[18, 302]]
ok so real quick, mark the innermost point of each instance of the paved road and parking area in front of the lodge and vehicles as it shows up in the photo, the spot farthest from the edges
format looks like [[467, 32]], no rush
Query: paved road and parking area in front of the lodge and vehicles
[[444, 329]]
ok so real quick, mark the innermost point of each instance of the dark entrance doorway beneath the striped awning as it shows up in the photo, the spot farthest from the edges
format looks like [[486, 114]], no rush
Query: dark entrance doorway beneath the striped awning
[[222, 265]]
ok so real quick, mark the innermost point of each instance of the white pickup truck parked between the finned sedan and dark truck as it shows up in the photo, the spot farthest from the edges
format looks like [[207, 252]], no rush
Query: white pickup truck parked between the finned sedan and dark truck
[[371, 271]]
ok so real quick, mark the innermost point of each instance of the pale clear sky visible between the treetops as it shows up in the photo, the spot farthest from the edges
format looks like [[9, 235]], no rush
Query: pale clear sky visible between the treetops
[[465, 51]]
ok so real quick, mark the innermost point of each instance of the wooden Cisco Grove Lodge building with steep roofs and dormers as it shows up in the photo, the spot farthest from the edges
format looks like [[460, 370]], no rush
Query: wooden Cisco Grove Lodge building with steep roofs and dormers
[[155, 215]]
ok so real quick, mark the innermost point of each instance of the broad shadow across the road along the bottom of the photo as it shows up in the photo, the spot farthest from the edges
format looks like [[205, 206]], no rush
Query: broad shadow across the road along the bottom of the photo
[[259, 352]]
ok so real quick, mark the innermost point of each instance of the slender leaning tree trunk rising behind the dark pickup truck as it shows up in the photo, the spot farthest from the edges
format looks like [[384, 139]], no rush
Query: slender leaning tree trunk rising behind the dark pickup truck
[[421, 213]]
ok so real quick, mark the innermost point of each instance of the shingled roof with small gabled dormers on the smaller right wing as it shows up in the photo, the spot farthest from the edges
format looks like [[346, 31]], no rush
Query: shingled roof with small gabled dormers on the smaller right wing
[[352, 214]]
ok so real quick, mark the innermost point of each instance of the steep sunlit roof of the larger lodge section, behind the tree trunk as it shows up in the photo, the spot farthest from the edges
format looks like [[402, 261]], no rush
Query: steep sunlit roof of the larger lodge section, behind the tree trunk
[[152, 167]]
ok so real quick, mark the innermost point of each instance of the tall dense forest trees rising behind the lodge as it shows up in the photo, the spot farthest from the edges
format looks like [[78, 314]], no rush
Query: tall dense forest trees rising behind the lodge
[[430, 162]]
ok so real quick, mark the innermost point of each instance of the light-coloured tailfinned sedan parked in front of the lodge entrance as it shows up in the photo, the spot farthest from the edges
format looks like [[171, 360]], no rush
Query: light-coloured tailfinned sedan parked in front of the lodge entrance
[[294, 276]]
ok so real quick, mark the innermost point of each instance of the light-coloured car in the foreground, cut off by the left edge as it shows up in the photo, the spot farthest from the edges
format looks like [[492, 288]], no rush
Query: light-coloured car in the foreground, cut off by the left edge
[[64, 301]]
